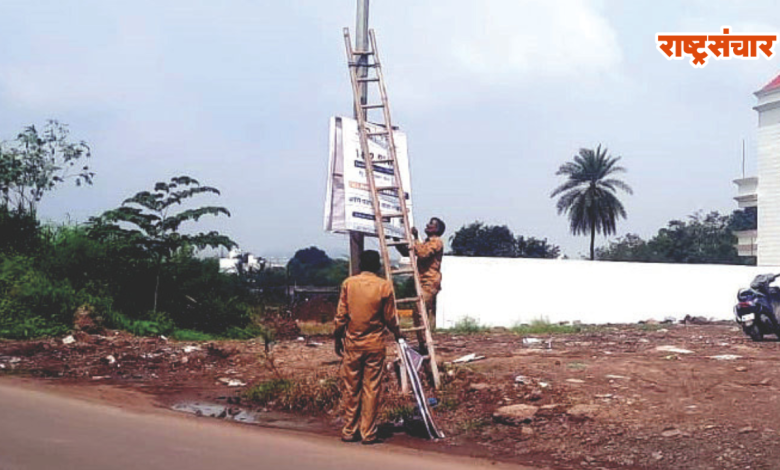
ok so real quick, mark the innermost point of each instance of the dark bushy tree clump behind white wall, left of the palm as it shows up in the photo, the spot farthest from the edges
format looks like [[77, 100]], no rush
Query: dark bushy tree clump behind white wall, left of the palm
[[498, 241]]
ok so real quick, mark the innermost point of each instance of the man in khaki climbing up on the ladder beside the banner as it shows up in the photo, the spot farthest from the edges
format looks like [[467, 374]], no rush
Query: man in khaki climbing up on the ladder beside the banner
[[429, 254]]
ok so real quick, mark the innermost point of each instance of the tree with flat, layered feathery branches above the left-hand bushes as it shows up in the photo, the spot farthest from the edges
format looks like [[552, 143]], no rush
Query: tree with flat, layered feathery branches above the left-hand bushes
[[148, 221]]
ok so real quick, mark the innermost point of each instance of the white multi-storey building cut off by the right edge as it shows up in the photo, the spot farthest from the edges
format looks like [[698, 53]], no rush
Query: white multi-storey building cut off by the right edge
[[763, 192]]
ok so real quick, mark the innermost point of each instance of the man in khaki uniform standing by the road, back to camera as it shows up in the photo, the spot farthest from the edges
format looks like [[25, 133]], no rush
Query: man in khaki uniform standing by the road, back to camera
[[366, 308]]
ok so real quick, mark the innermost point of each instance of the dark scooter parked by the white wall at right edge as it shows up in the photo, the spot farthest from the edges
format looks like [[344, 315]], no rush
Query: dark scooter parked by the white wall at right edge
[[756, 308]]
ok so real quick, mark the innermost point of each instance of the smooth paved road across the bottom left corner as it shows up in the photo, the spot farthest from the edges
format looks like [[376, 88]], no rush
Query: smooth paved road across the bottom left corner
[[42, 431]]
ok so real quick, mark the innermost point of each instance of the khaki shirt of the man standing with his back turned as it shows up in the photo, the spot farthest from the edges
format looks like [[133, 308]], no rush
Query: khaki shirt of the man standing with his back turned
[[366, 308]]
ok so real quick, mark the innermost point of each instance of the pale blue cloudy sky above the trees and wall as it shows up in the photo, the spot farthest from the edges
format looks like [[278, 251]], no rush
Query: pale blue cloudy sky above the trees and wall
[[494, 96]]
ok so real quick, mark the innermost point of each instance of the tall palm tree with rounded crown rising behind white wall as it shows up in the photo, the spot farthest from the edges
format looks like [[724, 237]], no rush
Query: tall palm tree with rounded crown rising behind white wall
[[589, 194]]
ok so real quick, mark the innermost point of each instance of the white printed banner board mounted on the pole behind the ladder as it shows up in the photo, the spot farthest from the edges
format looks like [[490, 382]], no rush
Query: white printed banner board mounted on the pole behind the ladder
[[348, 200]]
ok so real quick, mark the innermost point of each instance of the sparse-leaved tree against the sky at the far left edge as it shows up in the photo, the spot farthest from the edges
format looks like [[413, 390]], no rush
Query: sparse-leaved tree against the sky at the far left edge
[[35, 162]]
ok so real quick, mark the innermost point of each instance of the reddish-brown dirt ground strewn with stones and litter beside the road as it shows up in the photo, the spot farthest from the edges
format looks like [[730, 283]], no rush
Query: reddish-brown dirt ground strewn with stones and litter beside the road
[[636, 396]]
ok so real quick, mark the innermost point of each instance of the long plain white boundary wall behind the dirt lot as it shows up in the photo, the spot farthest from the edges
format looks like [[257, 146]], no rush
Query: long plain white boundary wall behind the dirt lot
[[505, 292]]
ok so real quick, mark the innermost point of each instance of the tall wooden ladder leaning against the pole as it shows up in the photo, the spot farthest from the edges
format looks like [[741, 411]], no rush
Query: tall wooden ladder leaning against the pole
[[360, 63]]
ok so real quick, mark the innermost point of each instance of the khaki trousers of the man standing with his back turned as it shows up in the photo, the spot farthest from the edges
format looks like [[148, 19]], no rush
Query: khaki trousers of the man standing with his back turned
[[361, 373]]
